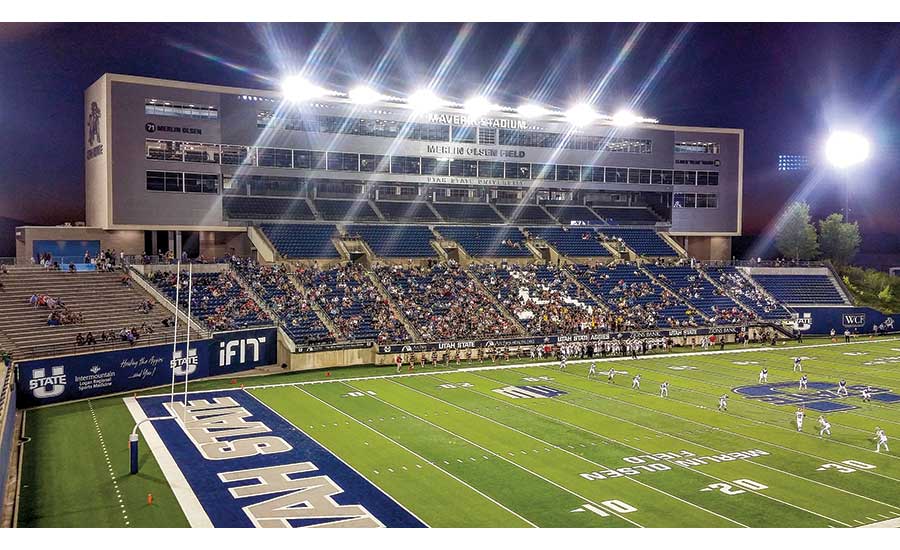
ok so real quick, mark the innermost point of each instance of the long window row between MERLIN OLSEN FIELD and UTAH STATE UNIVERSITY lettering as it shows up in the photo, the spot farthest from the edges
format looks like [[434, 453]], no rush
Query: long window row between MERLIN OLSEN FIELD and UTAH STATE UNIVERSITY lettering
[[268, 157]]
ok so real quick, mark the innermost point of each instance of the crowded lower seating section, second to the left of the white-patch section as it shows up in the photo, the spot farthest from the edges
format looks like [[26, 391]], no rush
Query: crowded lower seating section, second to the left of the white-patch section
[[352, 302]]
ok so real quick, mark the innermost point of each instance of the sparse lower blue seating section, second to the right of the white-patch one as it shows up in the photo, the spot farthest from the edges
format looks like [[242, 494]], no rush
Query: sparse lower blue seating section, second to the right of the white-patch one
[[693, 287]]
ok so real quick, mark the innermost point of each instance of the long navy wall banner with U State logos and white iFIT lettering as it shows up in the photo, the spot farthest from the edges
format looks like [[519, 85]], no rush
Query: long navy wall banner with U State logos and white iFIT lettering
[[47, 381]]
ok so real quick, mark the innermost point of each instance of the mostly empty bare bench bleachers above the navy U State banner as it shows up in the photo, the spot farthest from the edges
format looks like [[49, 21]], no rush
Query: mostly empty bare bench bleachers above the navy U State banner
[[103, 301]]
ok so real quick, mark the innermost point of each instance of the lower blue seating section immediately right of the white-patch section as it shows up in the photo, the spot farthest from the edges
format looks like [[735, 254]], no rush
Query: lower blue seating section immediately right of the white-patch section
[[637, 301]]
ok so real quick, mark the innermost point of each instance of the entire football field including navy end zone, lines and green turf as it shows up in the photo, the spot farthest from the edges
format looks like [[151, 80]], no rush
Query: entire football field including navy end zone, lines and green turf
[[515, 445]]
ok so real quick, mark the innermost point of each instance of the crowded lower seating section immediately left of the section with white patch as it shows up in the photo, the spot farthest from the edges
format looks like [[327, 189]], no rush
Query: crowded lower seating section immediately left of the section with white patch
[[444, 303]]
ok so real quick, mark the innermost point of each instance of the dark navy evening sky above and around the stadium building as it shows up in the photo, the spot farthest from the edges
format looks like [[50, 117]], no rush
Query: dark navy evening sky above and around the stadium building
[[785, 84]]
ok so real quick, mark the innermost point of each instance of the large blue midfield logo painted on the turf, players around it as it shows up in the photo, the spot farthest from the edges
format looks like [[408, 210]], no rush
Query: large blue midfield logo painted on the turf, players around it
[[821, 396]]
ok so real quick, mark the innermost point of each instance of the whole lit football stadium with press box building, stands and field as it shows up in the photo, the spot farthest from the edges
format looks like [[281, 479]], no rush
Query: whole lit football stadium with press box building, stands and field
[[308, 305]]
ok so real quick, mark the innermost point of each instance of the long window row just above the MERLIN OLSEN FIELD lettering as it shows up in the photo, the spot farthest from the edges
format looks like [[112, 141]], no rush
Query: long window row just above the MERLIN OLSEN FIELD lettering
[[459, 134]]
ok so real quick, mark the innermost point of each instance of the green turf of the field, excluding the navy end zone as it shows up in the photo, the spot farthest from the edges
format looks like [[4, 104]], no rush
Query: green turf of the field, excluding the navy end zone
[[457, 453]]
